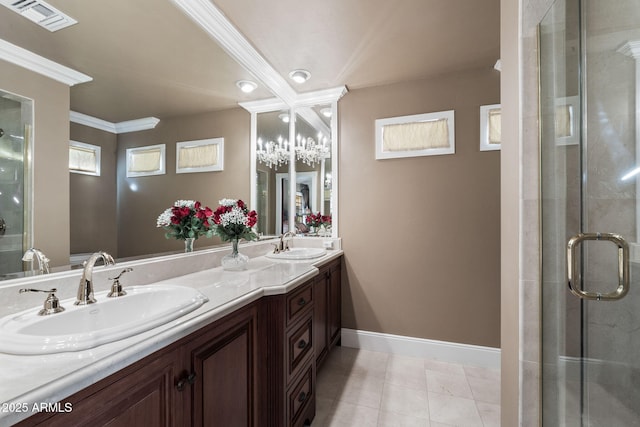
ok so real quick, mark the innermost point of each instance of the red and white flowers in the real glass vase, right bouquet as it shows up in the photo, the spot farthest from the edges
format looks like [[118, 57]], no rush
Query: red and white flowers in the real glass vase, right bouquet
[[234, 221]]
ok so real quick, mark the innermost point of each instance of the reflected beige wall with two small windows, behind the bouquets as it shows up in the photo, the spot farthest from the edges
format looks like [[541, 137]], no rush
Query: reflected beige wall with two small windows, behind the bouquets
[[142, 199]]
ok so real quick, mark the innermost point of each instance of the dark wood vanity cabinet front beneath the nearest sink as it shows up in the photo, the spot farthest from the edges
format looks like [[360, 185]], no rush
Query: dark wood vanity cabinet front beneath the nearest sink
[[207, 378]]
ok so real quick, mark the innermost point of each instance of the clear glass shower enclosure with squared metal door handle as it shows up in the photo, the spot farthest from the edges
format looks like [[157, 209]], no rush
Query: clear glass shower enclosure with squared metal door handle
[[590, 159]]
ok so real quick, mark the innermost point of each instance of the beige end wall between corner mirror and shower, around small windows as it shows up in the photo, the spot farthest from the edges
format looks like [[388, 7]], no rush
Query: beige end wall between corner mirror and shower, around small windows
[[422, 235]]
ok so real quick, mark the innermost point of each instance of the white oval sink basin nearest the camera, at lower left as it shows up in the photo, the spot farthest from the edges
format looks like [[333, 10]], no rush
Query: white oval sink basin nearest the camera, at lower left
[[110, 319]]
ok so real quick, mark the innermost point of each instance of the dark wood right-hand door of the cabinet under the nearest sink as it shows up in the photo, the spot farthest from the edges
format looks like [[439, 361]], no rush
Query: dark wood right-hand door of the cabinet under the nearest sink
[[224, 364]]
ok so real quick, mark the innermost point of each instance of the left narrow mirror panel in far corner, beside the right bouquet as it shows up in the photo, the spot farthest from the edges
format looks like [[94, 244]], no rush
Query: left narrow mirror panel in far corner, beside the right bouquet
[[272, 153]]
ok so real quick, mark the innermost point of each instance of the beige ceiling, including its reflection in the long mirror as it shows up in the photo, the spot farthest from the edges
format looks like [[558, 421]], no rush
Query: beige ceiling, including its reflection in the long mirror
[[147, 58]]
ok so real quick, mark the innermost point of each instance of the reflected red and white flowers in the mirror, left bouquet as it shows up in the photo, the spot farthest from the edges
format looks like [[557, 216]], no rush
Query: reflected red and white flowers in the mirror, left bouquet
[[186, 219]]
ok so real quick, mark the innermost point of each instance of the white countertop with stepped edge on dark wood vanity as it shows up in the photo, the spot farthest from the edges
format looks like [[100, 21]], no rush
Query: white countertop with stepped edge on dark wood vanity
[[29, 380]]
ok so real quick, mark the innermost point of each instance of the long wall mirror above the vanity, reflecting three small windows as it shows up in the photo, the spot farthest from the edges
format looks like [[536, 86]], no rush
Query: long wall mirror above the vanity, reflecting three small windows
[[138, 67]]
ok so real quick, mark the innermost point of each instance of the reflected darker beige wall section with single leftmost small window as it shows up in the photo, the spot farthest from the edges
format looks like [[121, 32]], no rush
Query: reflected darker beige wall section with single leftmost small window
[[93, 198]]
